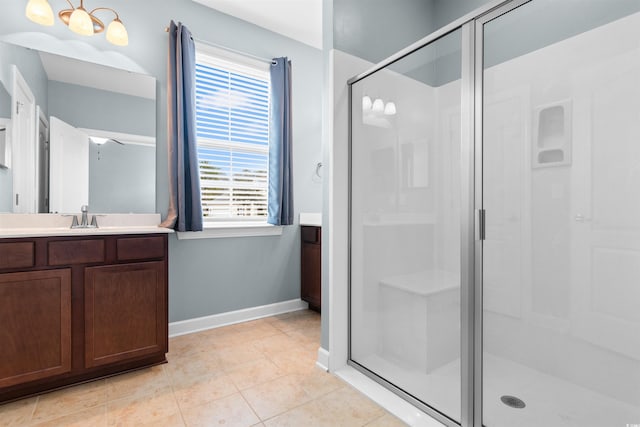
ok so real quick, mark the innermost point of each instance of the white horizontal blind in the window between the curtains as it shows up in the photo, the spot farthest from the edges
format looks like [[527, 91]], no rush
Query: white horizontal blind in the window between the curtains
[[232, 126]]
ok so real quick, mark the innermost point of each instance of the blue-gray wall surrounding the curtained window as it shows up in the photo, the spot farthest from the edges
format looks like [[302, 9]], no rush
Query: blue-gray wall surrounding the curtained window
[[212, 276]]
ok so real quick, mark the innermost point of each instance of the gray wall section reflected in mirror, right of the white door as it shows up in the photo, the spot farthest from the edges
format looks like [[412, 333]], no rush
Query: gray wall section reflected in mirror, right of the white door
[[122, 178]]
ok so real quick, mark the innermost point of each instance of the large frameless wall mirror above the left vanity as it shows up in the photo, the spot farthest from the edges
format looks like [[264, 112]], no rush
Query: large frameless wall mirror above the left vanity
[[80, 133]]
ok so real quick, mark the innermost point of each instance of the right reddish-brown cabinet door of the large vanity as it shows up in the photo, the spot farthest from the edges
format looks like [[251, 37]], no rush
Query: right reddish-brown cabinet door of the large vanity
[[125, 312]]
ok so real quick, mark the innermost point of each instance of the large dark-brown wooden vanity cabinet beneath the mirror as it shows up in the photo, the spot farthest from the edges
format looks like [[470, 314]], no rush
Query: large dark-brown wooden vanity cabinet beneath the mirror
[[74, 309]]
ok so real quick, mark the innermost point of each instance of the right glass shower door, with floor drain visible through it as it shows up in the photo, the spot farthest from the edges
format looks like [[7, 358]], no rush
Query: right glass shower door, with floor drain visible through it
[[561, 193]]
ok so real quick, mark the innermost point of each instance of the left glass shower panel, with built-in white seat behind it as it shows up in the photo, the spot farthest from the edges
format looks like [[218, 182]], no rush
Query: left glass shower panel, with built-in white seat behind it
[[405, 226]]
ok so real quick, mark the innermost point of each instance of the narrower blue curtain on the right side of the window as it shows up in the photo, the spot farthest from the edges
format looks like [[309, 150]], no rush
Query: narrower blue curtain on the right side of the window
[[280, 210]]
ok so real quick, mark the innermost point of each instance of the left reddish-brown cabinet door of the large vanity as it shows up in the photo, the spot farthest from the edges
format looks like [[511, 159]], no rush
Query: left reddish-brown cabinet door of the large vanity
[[35, 325]]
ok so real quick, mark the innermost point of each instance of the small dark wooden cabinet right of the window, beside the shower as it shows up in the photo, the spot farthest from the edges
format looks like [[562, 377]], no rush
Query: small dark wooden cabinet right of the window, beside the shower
[[310, 269]]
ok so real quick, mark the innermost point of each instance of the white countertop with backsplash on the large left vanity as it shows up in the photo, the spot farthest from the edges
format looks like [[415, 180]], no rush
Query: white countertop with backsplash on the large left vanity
[[44, 225]]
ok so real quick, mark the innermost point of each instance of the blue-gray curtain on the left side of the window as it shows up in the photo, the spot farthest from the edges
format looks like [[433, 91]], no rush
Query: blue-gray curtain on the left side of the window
[[185, 205]]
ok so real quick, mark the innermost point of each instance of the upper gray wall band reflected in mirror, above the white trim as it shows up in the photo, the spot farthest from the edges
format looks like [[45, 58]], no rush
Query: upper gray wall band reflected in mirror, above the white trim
[[91, 108]]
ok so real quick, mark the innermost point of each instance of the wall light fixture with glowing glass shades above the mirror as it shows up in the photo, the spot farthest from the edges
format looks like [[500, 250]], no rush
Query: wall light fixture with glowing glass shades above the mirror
[[79, 20]]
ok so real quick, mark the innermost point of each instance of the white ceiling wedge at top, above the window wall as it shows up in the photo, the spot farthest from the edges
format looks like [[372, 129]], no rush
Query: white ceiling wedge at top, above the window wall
[[297, 19]]
